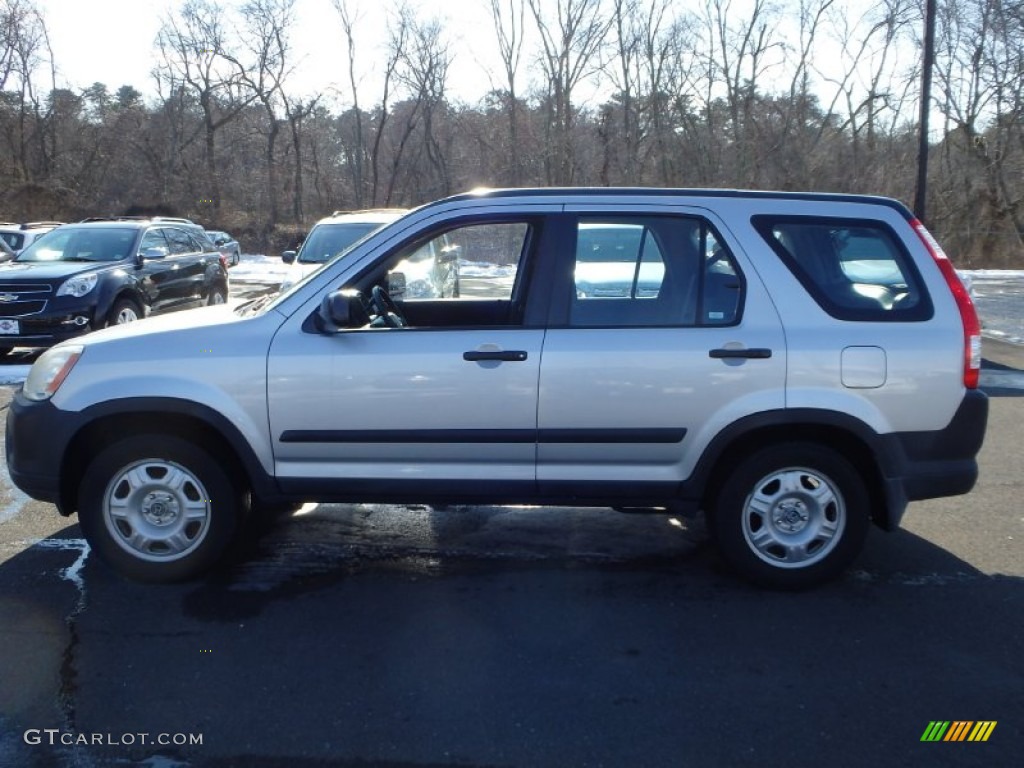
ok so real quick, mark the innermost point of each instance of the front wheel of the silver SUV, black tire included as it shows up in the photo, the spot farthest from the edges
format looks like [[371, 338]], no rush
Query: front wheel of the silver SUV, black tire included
[[158, 508]]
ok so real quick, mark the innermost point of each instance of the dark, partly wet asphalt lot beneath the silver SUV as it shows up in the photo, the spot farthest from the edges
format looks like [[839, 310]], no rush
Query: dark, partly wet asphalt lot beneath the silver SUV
[[385, 636]]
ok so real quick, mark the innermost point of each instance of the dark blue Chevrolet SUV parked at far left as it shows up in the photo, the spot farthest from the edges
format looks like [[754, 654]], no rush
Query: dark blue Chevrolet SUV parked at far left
[[79, 278]]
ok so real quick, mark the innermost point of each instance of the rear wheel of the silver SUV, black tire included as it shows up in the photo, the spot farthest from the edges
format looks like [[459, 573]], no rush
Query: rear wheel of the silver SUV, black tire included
[[792, 517]]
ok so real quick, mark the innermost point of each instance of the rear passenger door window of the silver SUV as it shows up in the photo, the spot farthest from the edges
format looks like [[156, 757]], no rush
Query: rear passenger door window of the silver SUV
[[668, 271]]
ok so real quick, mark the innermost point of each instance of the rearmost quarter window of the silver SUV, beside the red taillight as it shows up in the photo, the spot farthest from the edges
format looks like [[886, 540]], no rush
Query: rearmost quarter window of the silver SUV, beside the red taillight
[[855, 270]]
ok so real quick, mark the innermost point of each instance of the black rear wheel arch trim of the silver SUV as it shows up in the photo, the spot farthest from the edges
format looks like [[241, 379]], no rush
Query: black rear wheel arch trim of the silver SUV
[[869, 453]]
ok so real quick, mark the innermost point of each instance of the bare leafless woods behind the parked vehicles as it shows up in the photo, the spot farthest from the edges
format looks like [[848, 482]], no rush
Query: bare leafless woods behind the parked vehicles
[[794, 95]]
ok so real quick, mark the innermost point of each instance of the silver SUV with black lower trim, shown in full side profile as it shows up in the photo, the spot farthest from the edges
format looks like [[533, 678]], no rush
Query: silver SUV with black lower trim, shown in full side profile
[[797, 367]]
